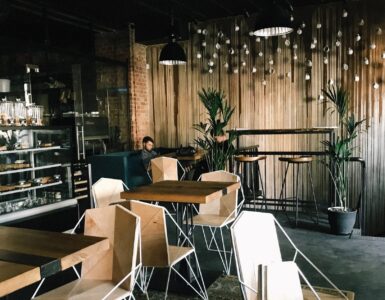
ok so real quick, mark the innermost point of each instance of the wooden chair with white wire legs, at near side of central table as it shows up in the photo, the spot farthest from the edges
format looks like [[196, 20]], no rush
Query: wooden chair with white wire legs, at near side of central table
[[158, 253]]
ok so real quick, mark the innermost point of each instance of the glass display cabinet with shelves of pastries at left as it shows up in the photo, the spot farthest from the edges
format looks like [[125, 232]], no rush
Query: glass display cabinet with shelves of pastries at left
[[35, 171]]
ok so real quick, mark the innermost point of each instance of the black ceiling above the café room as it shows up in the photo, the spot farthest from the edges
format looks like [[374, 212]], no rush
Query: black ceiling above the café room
[[151, 17]]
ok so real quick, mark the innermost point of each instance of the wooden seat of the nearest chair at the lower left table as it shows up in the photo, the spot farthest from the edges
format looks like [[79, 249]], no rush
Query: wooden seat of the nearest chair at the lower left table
[[86, 289]]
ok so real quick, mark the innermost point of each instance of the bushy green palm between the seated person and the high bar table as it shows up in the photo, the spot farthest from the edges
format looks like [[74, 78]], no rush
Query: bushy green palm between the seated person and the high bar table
[[218, 147]]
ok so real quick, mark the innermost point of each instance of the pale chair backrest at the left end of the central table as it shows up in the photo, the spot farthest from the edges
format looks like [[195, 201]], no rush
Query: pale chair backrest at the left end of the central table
[[106, 191]]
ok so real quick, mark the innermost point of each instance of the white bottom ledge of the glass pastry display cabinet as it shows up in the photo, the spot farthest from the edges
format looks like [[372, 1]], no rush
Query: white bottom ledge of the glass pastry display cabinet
[[31, 212]]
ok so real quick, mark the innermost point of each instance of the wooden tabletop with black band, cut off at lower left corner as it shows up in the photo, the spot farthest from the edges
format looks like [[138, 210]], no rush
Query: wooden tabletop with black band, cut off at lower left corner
[[27, 256]]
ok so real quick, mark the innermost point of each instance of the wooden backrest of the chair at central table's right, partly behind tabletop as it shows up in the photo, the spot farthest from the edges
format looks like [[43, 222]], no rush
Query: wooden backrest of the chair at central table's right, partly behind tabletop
[[227, 204]]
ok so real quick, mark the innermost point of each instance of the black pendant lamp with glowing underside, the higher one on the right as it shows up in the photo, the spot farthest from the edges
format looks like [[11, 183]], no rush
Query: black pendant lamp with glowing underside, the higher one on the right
[[275, 19]]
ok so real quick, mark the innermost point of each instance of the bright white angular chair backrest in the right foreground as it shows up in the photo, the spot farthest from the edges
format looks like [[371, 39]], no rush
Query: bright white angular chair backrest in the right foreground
[[255, 243]]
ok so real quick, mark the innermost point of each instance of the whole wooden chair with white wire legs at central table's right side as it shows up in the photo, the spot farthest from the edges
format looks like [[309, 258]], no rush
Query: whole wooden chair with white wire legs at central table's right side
[[217, 215]]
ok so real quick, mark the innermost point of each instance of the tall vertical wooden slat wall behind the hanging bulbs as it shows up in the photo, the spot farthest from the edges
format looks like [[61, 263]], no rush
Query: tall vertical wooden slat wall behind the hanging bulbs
[[284, 102]]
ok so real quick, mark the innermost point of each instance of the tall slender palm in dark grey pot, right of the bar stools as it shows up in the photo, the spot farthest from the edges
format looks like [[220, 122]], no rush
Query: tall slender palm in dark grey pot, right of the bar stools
[[341, 215]]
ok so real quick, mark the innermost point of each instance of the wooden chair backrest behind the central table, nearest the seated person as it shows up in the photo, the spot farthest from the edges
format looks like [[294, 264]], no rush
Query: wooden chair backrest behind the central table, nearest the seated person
[[164, 168]]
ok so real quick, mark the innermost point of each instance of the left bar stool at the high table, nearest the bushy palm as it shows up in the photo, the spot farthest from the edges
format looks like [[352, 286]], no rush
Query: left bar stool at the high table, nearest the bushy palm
[[253, 161]]
